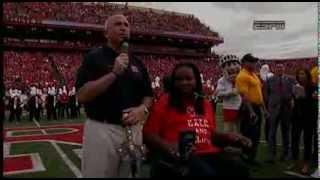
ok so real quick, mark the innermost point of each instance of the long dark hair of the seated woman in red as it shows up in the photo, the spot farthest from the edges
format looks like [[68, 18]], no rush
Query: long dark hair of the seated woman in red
[[175, 99]]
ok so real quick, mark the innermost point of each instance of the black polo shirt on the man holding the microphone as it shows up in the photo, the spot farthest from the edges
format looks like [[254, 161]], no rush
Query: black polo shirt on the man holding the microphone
[[128, 90]]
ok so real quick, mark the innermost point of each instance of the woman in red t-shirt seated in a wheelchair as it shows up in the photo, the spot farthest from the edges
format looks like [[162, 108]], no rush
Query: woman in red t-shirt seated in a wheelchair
[[181, 136]]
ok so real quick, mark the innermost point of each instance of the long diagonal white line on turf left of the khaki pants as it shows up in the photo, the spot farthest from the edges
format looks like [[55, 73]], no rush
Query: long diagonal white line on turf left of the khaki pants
[[64, 157]]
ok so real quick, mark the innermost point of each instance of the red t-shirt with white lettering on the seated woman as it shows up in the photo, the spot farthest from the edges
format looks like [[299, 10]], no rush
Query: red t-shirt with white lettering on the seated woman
[[167, 122]]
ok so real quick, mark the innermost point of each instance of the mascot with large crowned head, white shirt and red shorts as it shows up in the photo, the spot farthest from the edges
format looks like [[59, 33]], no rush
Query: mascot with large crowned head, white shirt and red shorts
[[227, 91]]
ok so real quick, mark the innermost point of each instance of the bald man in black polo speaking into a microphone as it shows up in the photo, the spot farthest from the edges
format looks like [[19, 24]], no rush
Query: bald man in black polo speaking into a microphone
[[116, 92]]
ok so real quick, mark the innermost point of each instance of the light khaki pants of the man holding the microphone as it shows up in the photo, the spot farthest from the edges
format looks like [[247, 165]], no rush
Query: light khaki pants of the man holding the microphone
[[100, 142]]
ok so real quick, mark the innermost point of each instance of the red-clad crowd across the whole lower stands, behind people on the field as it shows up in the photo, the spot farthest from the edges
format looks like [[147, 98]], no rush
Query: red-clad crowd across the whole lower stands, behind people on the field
[[35, 67]]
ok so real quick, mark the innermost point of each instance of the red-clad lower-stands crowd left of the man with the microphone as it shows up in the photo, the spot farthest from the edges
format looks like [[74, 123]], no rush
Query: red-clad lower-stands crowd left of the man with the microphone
[[34, 67]]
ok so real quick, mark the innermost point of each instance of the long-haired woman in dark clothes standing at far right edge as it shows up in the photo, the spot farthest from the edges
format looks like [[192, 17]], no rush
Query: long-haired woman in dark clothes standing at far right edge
[[303, 119]]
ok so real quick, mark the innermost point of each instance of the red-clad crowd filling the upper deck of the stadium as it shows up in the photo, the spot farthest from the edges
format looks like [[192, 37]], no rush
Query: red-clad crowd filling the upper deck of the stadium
[[141, 20]]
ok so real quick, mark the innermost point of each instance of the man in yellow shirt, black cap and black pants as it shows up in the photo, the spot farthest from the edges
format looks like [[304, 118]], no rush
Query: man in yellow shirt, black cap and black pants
[[253, 109]]
